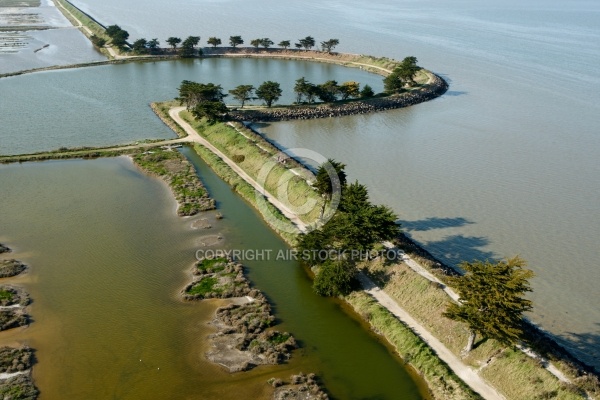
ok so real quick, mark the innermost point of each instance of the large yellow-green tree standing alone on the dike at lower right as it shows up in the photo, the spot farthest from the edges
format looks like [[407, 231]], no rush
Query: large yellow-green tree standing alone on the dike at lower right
[[492, 300]]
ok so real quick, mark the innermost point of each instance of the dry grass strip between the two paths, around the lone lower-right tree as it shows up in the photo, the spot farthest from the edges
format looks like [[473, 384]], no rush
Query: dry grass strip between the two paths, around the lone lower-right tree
[[514, 374]]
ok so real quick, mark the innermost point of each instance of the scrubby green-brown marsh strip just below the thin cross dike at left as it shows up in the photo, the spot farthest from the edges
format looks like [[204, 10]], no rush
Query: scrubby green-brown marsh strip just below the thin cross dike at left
[[181, 177]]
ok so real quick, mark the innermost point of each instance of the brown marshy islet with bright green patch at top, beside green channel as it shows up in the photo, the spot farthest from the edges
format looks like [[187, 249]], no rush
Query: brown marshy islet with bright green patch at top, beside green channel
[[244, 337]]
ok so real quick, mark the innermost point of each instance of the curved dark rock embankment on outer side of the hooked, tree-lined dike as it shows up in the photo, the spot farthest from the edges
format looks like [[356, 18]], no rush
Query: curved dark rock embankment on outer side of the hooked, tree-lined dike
[[434, 88]]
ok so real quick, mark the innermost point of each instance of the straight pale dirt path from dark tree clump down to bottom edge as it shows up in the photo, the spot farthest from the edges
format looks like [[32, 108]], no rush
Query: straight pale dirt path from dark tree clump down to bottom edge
[[468, 375]]
